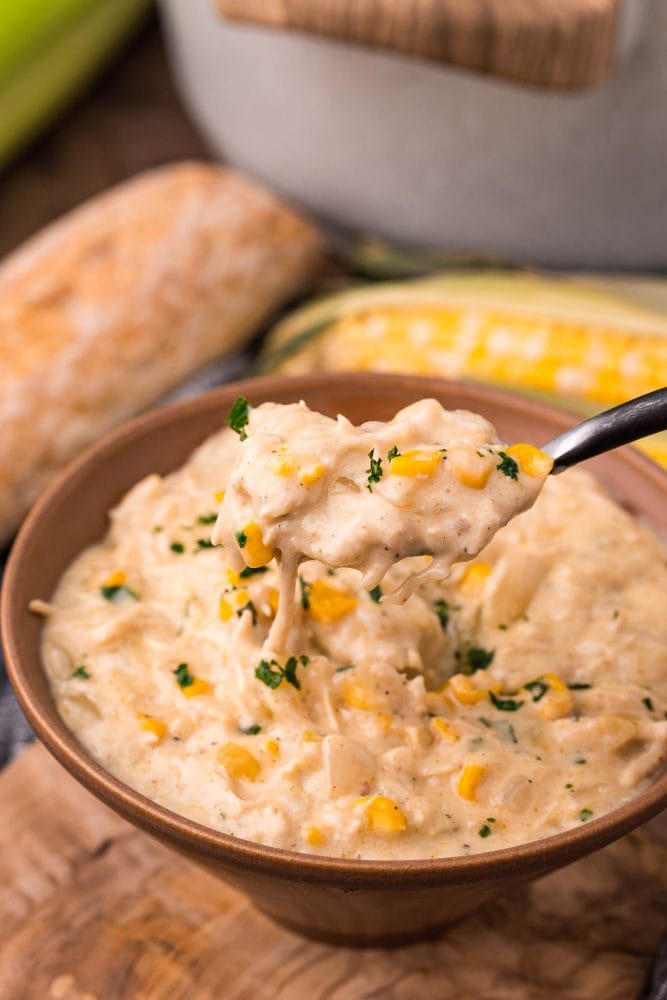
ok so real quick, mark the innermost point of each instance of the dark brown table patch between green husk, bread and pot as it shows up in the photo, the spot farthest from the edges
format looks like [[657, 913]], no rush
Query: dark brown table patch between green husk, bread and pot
[[129, 120]]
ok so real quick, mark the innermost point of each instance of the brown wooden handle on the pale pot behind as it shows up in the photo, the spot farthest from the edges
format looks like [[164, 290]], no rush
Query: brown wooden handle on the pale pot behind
[[547, 43]]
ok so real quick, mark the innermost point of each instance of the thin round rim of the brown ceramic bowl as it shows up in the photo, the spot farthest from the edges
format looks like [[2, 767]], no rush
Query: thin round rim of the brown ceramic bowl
[[196, 839]]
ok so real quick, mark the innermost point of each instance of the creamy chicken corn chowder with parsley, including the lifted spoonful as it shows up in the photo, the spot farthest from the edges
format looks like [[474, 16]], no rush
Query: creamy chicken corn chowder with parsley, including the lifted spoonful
[[341, 640]]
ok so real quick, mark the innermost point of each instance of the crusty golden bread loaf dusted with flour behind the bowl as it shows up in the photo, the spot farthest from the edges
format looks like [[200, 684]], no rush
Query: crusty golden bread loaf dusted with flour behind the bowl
[[114, 304]]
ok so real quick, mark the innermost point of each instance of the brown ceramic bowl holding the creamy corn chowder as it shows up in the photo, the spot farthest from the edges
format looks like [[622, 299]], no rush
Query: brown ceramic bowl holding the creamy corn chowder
[[346, 902]]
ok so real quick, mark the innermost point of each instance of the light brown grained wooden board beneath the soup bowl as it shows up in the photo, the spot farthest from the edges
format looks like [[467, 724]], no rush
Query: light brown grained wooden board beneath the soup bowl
[[91, 909]]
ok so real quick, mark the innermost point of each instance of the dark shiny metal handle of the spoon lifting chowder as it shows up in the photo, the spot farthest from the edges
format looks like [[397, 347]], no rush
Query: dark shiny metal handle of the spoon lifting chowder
[[610, 429]]
